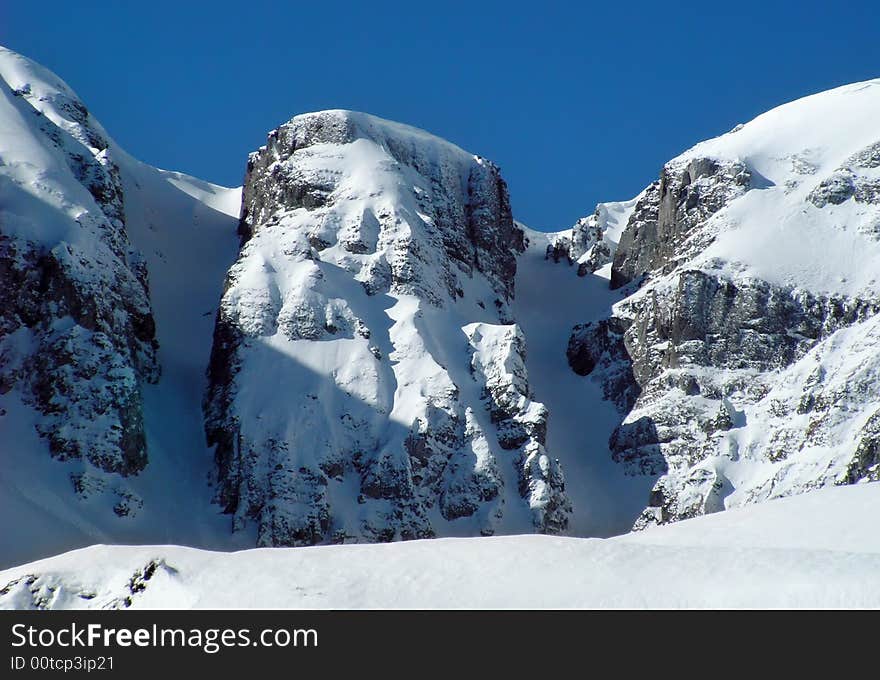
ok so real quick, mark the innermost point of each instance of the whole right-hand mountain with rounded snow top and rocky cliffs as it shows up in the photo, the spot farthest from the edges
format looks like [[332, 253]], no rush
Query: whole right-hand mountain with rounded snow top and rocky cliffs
[[743, 364]]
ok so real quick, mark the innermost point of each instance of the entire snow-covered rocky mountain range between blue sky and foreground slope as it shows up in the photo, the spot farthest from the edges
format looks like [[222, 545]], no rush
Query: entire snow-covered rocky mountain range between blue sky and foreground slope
[[362, 345]]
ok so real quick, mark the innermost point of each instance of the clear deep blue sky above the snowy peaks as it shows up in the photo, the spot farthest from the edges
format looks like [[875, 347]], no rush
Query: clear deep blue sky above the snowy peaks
[[577, 102]]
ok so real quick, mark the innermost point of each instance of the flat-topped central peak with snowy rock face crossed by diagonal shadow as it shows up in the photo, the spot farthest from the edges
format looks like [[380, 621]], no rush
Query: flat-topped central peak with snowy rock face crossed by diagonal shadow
[[367, 381]]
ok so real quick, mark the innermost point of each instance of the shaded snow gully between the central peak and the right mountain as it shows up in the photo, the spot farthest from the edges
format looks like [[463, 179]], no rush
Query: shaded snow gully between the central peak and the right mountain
[[550, 299]]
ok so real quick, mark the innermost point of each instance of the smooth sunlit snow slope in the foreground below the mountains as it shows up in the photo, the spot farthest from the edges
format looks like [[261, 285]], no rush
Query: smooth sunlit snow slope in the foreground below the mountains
[[817, 550]]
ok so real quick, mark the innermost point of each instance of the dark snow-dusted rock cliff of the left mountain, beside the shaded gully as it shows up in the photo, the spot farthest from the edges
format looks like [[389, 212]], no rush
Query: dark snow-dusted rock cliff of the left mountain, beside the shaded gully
[[77, 337]]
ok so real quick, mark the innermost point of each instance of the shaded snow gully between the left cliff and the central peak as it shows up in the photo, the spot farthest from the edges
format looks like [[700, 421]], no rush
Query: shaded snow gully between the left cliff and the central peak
[[186, 230]]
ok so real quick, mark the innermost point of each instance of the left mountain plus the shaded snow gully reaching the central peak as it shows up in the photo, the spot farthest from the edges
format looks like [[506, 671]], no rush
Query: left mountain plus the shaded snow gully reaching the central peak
[[83, 335]]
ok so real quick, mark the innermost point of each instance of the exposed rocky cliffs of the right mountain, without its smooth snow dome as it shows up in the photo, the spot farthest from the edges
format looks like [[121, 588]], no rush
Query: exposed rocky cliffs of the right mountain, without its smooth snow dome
[[689, 355]]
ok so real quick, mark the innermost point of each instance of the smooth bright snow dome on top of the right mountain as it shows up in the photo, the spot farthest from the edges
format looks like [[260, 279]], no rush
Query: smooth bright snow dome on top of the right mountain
[[778, 233]]
